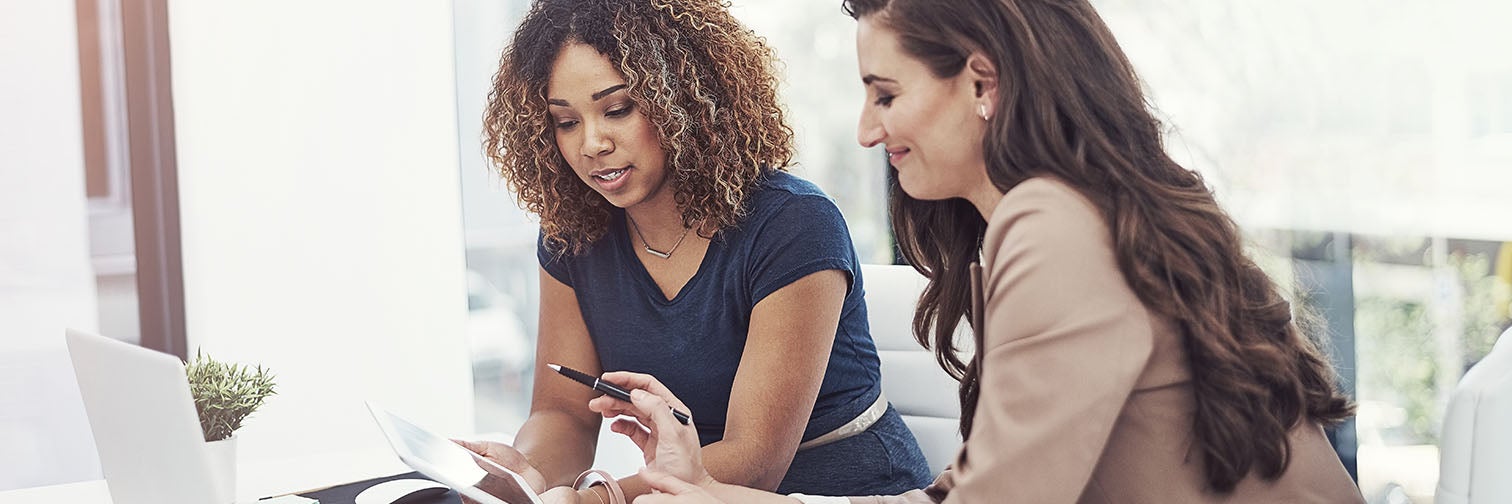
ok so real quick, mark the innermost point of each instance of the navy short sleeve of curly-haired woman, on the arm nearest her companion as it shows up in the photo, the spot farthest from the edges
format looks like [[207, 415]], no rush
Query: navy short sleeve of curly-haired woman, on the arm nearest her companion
[[805, 235]]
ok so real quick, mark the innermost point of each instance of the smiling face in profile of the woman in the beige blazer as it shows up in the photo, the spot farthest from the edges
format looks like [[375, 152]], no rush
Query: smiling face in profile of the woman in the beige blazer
[[929, 126]]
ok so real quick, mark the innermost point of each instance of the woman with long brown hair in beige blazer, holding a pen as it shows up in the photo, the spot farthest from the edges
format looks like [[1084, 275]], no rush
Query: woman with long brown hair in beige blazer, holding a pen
[[1127, 349]]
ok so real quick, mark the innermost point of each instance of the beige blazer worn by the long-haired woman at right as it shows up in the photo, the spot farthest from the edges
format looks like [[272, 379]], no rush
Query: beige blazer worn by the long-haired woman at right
[[1086, 396]]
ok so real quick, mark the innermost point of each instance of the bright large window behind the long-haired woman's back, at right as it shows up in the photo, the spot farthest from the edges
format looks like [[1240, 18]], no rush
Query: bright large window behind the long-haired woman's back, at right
[[1365, 151]]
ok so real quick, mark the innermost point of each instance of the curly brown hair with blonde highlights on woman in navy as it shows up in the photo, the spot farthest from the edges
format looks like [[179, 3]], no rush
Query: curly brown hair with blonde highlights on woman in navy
[[707, 84]]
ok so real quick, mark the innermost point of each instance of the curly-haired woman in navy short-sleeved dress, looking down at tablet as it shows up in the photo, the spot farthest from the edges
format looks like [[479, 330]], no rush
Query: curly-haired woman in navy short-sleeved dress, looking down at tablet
[[649, 138]]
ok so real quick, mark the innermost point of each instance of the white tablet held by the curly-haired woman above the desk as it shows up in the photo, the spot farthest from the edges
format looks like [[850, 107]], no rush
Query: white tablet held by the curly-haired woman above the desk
[[448, 462]]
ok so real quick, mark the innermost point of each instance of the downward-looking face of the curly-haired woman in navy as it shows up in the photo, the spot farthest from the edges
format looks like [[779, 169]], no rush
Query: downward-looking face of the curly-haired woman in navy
[[610, 143]]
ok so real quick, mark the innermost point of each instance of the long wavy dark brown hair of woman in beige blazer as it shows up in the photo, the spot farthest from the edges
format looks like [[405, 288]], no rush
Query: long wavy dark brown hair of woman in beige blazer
[[1070, 107]]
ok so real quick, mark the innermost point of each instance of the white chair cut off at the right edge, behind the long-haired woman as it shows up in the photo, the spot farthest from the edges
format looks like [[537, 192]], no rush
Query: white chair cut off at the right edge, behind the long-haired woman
[[1476, 446]]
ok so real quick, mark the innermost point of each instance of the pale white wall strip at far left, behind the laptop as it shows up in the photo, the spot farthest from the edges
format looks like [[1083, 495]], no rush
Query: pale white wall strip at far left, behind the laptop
[[46, 281]]
